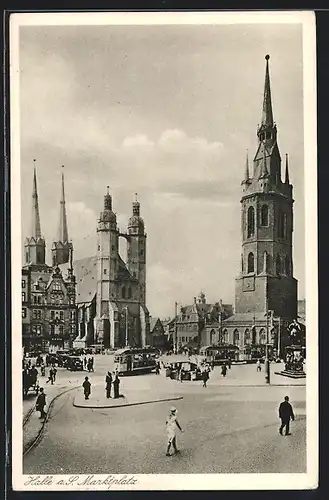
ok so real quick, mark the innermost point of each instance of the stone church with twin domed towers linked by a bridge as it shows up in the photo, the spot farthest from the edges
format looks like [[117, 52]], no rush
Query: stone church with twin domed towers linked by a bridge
[[111, 293]]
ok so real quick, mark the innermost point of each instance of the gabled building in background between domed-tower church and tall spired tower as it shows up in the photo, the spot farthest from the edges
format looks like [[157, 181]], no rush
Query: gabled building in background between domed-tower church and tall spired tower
[[199, 324]]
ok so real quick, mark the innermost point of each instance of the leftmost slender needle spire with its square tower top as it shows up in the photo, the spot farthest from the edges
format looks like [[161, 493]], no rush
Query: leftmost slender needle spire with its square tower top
[[35, 246]]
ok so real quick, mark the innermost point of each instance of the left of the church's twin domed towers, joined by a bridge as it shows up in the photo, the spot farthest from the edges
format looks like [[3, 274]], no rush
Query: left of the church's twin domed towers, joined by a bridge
[[107, 269]]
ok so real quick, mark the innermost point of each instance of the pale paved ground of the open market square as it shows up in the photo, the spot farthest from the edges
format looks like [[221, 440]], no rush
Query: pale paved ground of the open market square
[[227, 429]]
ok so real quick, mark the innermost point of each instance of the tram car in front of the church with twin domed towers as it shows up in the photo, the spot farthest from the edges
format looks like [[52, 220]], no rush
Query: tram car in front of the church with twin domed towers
[[134, 360]]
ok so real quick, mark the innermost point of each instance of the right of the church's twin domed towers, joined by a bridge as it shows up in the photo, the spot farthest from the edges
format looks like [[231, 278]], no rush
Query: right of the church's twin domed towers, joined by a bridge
[[136, 250]]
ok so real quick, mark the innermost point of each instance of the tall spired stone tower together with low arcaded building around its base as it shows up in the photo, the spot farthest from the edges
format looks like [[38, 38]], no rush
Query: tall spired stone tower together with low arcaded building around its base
[[266, 291]]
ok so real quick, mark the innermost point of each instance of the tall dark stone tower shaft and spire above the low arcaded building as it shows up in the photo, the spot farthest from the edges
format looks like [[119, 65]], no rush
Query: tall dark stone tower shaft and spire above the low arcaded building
[[266, 279]]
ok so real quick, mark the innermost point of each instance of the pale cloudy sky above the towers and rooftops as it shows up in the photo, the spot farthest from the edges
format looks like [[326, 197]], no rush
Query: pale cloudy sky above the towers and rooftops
[[167, 112]]
